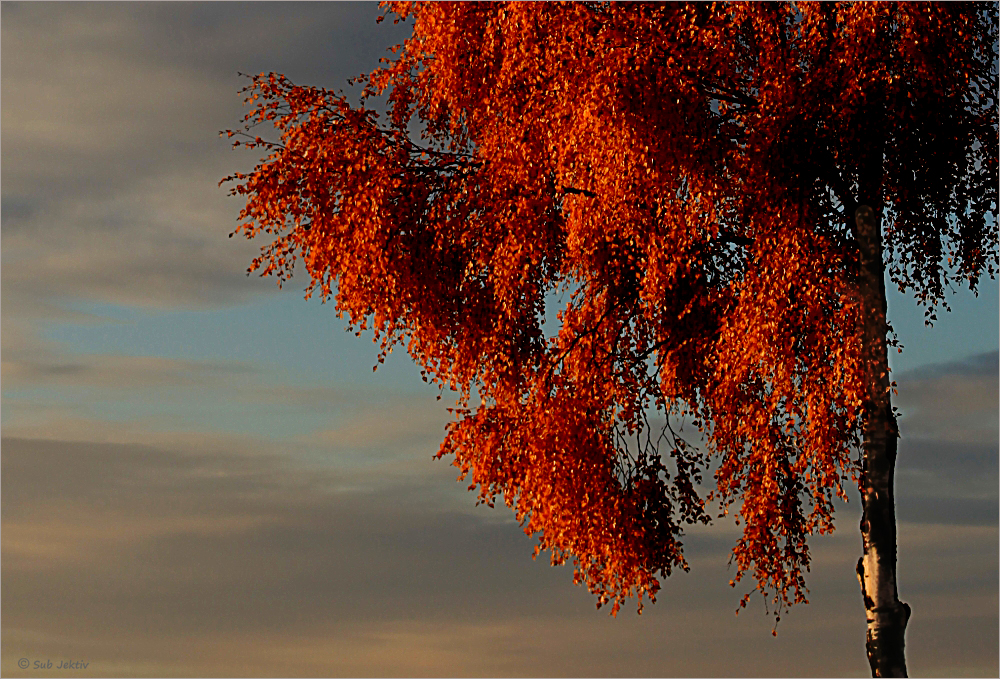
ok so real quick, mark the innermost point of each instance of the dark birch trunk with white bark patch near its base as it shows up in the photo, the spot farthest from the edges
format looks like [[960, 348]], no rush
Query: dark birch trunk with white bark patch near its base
[[887, 615]]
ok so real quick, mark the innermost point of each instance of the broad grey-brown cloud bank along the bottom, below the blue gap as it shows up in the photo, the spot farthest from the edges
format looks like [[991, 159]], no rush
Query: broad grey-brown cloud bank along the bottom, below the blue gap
[[121, 555]]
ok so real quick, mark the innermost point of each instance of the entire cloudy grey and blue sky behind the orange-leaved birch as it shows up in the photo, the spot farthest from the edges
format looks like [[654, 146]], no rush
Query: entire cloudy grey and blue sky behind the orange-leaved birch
[[202, 475]]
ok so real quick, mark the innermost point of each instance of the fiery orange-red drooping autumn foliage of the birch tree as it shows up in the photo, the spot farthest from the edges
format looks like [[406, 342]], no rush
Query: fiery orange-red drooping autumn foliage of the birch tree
[[683, 178]]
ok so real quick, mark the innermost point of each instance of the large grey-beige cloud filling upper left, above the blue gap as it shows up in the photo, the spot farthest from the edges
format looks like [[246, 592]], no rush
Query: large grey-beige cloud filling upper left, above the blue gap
[[111, 147]]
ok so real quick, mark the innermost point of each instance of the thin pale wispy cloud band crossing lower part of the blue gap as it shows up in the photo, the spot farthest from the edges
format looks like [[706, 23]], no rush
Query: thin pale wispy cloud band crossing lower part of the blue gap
[[111, 398]]
